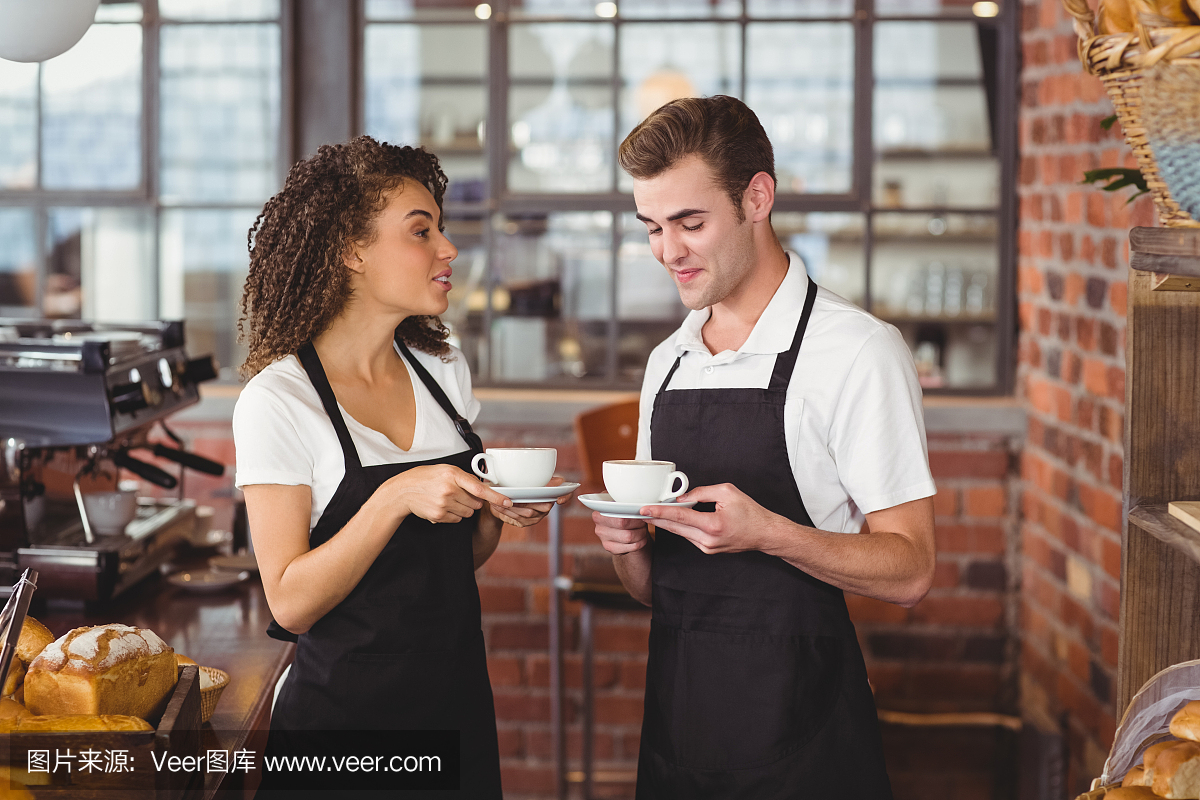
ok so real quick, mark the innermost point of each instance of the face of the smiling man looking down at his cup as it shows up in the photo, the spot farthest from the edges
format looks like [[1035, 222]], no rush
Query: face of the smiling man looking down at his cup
[[695, 232]]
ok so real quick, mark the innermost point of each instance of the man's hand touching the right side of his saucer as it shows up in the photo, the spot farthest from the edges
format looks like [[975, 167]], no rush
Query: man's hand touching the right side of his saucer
[[739, 524]]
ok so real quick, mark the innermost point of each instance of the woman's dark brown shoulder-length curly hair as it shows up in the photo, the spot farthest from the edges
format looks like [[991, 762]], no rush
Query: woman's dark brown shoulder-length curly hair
[[298, 282]]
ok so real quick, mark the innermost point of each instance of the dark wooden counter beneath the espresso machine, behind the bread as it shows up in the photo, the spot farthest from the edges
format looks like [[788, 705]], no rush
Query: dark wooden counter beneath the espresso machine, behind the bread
[[224, 630]]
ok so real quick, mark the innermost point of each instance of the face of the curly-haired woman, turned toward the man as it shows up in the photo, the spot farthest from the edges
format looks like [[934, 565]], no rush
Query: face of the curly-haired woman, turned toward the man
[[406, 268]]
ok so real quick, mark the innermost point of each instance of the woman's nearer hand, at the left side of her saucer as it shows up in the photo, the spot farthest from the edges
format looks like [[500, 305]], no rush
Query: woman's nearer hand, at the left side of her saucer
[[441, 494]]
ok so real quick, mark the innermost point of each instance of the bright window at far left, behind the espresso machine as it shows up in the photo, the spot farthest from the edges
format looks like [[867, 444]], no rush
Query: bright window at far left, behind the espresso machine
[[133, 166]]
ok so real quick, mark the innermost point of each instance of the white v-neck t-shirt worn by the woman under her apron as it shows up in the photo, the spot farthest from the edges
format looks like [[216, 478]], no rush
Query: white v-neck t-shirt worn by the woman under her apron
[[284, 436]]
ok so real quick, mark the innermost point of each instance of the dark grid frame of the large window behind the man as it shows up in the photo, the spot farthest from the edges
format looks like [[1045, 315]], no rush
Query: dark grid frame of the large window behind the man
[[501, 203]]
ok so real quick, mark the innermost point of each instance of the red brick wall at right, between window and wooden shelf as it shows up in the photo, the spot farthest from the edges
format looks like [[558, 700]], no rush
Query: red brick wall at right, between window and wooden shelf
[[1072, 303]]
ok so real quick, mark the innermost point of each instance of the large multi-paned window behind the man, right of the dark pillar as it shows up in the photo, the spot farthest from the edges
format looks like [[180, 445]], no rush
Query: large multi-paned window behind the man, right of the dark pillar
[[893, 131]]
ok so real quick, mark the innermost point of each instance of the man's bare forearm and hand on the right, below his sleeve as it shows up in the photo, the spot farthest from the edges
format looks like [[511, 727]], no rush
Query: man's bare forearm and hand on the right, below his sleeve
[[893, 562]]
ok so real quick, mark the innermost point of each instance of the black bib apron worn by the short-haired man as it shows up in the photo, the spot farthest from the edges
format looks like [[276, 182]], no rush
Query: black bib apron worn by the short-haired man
[[755, 685]]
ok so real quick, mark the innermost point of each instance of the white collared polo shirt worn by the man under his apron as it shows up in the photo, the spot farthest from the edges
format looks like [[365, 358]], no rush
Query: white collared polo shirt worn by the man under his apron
[[854, 420]]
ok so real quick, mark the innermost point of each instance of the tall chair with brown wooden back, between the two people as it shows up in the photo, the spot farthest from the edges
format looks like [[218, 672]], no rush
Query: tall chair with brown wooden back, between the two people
[[608, 434]]
